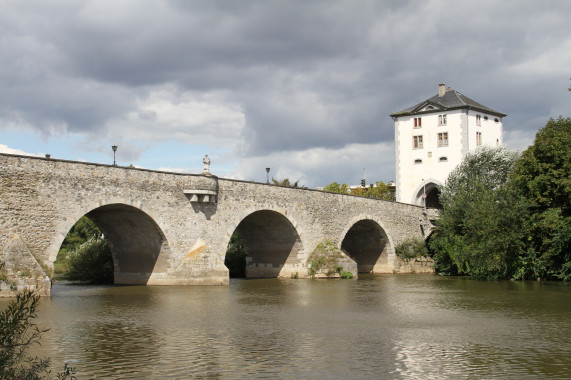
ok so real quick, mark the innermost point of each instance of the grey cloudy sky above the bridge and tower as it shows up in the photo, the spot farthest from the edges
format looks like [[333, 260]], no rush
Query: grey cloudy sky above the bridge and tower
[[303, 87]]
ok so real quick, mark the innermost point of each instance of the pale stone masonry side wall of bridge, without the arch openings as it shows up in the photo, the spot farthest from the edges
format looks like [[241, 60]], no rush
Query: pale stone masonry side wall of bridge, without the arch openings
[[41, 199]]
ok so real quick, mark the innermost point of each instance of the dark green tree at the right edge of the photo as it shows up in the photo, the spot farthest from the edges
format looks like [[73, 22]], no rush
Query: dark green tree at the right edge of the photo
[[542, 176]]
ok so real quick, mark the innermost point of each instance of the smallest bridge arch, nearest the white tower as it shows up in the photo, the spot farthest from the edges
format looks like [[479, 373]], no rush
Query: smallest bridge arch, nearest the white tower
[[365, 240]]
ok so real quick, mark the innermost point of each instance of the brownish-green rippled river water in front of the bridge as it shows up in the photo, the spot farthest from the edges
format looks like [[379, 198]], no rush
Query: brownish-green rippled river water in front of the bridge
[[379, 326]]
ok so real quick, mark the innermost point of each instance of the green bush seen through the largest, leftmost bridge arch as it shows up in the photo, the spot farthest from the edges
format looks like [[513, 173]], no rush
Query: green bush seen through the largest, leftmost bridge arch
[[91, 262]]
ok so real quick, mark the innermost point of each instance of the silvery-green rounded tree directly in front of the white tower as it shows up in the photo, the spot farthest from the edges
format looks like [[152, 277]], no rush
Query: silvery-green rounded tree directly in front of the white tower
[[480, 228]]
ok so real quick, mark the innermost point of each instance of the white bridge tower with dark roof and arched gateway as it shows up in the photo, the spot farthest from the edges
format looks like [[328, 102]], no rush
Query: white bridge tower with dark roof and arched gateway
[[432, 138]]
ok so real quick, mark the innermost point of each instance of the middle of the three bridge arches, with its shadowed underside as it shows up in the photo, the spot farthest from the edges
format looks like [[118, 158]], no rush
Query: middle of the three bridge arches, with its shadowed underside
[[272, 243]]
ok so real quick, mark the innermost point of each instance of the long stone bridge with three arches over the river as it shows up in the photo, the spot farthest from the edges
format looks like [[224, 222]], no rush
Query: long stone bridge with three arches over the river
[[173, 229]]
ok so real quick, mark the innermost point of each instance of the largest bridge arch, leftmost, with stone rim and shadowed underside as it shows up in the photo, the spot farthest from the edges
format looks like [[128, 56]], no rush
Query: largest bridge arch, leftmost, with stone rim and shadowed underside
[[137, 242]]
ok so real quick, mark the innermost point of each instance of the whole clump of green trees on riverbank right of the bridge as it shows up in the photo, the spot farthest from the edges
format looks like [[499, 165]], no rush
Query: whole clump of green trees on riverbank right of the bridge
[[509, 216]]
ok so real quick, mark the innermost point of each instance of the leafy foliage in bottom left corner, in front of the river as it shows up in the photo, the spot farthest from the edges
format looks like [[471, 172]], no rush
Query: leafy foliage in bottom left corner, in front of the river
[[18, 332]]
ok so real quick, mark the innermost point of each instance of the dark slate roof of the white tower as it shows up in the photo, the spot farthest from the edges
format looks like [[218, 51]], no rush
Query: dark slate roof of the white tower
[[451, 100]]
